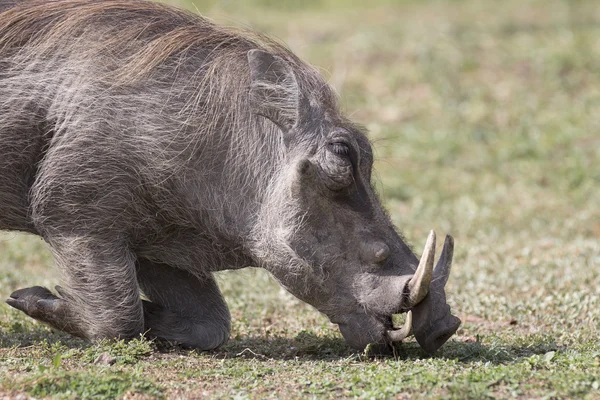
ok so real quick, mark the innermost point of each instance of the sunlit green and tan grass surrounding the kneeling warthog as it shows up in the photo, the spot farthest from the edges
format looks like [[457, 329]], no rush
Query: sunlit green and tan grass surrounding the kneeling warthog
[[485, 123]]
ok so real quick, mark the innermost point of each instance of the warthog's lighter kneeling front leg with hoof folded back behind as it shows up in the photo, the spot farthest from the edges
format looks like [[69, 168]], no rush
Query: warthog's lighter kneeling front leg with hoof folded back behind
[[101, 296]]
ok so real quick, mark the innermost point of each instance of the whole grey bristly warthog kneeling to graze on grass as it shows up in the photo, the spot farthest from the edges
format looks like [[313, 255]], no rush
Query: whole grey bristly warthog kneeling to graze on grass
[[150, 148]]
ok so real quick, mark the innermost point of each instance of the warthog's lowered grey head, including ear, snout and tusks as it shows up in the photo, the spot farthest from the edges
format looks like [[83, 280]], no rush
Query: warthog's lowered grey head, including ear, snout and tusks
[[326, 237]]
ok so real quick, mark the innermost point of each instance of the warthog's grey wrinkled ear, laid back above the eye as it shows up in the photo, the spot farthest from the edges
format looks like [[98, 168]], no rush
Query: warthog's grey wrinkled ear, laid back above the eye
[[274, 91]]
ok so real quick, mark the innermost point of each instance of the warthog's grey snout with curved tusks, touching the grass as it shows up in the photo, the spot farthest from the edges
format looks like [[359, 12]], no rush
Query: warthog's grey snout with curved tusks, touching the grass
[[420, 294]]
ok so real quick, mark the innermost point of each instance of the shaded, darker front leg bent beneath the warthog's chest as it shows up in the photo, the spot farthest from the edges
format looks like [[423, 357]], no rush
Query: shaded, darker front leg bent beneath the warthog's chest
[[183, 308]]
